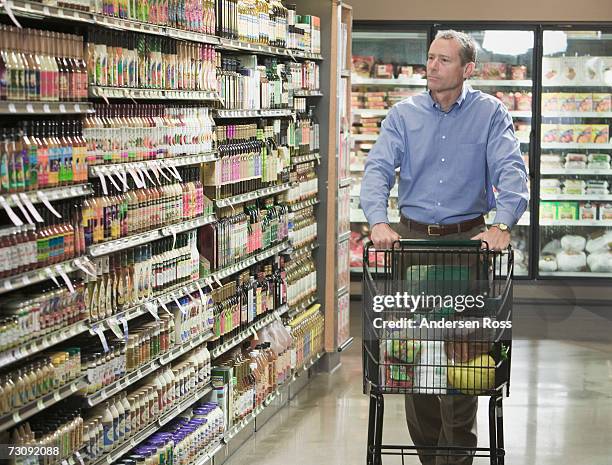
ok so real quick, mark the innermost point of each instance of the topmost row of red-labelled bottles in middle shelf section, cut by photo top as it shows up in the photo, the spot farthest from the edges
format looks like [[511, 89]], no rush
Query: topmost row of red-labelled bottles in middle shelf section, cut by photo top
[[190, 15]]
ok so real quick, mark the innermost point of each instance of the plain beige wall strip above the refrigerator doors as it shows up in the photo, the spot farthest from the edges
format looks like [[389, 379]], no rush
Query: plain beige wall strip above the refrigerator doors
[[483, 10]]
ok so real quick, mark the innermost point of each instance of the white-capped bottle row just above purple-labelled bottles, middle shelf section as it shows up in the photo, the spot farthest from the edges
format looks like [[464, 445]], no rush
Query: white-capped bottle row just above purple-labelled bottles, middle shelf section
[[127, 413]]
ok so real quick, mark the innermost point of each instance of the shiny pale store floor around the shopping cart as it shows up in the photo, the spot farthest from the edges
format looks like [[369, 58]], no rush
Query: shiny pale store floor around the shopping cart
[[559, 412]]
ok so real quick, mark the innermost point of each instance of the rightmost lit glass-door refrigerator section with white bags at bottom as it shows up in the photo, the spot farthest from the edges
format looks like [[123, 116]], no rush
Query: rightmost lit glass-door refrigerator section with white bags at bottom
[[575, 203]]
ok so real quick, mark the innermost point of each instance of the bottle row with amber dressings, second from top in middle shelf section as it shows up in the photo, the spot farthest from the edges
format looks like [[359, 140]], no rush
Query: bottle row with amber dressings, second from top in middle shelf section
[[133, 60]]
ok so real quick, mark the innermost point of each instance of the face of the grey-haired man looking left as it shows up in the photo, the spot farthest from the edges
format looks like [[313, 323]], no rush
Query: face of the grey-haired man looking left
[[444, 68]]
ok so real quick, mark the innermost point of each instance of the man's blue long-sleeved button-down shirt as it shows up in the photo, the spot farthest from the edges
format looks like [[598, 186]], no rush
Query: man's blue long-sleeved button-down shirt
[[448, 162]]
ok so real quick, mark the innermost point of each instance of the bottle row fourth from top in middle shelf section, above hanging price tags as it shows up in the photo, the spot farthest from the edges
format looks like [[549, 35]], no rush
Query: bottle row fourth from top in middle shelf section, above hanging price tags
[[119, 214]]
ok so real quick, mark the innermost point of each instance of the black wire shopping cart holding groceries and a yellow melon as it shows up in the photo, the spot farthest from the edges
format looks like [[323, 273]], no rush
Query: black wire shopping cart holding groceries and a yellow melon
[[405, 341]]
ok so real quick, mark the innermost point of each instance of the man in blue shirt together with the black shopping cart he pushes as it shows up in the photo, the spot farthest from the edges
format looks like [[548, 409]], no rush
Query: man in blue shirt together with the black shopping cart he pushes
[[452, 145]]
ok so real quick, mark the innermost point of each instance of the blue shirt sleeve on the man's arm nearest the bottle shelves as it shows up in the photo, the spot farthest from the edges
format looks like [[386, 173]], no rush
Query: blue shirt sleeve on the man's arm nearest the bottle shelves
[[379, 176]]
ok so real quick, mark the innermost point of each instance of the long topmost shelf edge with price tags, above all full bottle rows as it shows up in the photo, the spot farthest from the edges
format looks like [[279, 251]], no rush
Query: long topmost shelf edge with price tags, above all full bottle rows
[[37, 10]]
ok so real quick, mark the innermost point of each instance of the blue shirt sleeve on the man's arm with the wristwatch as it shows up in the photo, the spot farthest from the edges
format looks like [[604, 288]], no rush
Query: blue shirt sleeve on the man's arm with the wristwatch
[[506, 169]]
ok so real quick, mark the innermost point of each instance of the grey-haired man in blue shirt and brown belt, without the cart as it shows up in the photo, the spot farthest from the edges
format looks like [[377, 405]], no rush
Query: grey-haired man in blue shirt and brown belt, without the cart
[[452, 144]]
